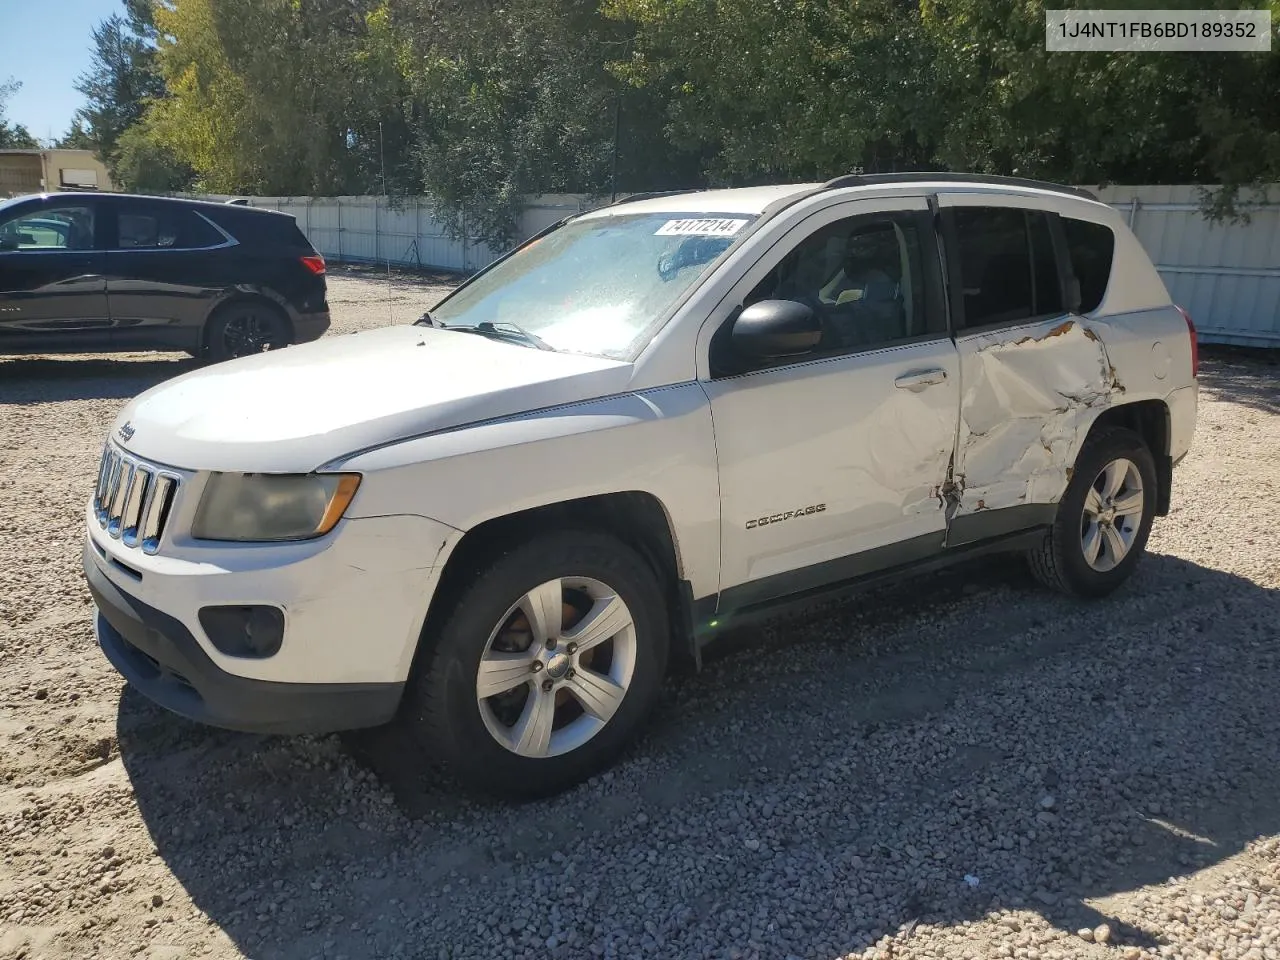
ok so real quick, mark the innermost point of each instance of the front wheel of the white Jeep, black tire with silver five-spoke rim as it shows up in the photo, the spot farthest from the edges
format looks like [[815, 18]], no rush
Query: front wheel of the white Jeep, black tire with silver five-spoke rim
[[545, 669]]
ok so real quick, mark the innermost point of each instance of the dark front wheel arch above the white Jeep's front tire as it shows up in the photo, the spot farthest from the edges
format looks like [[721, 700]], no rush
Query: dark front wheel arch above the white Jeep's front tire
[[636, 518]]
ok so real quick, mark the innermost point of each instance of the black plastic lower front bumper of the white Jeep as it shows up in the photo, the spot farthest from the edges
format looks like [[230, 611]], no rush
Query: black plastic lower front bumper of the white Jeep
[[166, 664]]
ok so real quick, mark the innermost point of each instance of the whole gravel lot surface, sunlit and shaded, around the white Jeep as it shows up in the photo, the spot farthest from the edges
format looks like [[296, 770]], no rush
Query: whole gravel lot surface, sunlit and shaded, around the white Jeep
[[967, 767]]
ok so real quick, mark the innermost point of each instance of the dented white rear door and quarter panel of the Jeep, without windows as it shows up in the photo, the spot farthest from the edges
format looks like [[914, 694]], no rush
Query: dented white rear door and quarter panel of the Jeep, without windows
[[1031, 392]]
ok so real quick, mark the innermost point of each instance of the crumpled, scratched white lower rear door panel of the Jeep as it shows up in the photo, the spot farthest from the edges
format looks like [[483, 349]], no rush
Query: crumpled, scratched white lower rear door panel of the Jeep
[[1028, 399]]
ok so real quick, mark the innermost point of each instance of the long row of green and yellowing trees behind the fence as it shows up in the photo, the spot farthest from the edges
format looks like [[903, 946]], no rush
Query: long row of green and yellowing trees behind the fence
[[479, 103]]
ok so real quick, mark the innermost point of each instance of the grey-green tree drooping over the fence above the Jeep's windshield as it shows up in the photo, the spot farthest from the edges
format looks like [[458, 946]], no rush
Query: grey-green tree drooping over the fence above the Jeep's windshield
[[516, 98]]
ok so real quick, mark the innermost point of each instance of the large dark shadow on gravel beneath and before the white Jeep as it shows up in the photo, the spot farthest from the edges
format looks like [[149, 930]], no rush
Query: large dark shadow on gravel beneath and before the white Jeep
[[890, 766]]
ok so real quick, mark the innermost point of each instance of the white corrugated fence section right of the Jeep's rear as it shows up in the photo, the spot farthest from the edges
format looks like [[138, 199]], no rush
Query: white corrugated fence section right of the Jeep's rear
[[1227, 276]]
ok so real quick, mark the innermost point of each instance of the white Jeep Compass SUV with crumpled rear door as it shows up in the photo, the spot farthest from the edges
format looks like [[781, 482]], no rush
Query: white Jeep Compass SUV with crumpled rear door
[[497, 527]]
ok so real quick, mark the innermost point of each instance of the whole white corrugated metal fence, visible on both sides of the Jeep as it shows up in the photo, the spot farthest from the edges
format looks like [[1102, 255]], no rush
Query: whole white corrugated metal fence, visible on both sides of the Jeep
[[1228, 276]]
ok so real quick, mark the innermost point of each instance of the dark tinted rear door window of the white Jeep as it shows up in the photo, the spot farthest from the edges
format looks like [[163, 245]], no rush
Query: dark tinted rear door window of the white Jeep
[[1008, 268]]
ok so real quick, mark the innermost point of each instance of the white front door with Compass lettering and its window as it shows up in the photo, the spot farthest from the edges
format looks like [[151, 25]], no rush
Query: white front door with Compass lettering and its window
[[831, 464]]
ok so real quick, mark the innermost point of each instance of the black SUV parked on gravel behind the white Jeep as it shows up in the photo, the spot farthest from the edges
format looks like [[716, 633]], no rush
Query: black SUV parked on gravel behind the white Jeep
[[112, 272]]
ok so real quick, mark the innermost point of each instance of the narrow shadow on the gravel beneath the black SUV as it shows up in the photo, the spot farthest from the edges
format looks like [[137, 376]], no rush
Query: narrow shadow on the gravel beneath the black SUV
[[48, 381]]
